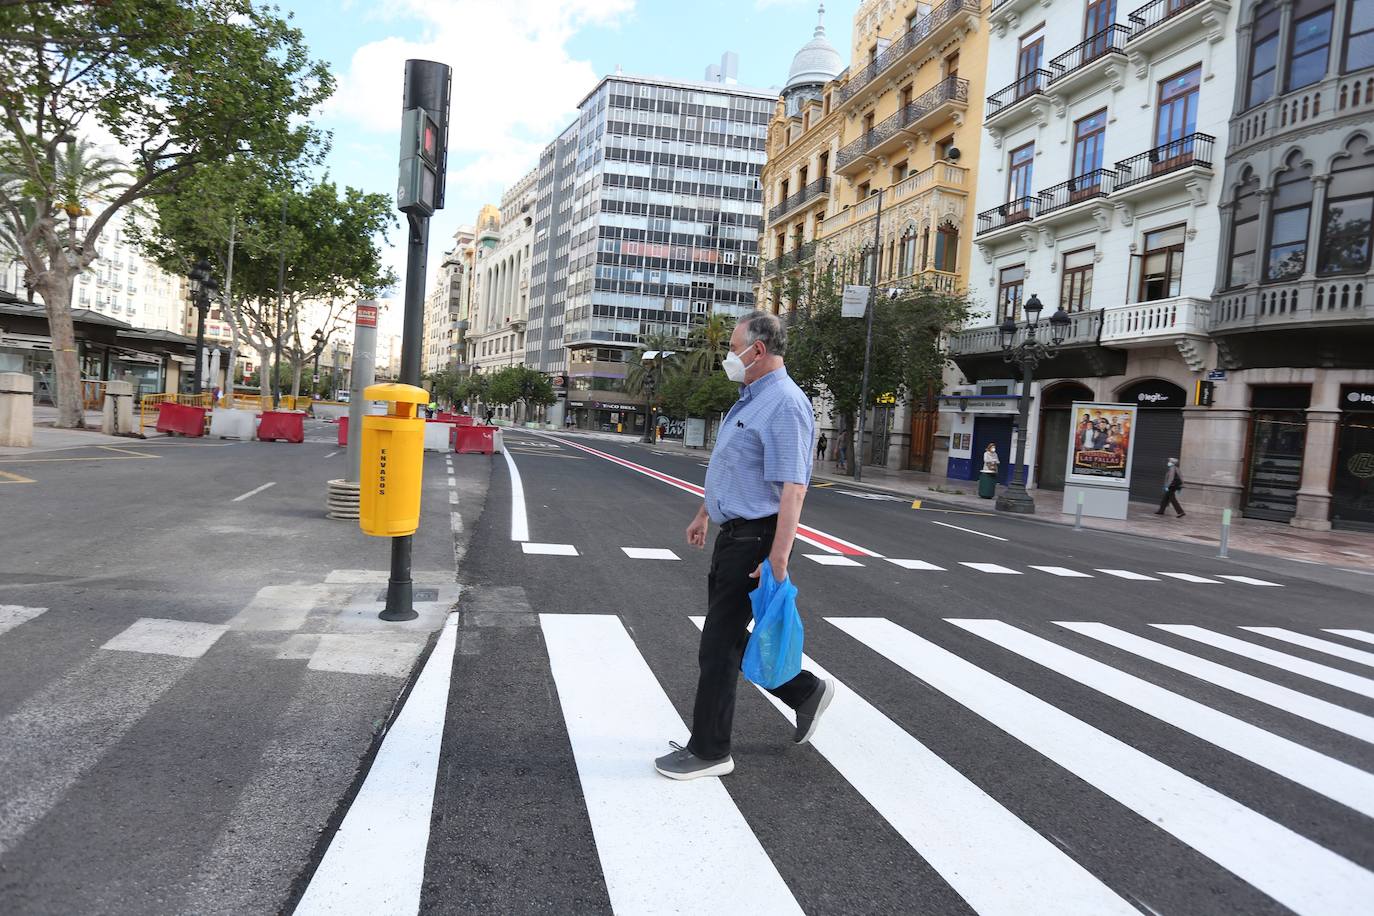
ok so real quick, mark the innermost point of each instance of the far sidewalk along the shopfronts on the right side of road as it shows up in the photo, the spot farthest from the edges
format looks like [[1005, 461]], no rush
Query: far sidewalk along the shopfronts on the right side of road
[[1203, 525]]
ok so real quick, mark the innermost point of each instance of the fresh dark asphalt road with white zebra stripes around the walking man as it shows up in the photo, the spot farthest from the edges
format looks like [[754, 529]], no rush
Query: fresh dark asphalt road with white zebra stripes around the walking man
[[997, 764]]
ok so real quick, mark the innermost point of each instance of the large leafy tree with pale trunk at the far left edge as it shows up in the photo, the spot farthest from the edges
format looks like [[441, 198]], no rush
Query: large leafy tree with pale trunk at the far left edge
[[174, 83]]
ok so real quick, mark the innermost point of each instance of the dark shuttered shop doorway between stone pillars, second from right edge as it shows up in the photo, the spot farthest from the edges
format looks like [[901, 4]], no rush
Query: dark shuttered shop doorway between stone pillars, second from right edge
[[1274, 461]]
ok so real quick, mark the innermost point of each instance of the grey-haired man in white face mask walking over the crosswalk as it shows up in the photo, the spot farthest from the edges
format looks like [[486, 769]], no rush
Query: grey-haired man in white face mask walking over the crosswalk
[[756, 484]]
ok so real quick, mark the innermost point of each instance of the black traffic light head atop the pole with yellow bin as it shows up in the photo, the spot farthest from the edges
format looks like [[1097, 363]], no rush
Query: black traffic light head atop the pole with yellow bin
[[424, 138]]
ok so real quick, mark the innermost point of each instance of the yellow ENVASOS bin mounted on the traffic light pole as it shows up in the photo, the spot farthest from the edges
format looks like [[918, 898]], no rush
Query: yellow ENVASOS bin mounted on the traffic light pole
[[392, 463]]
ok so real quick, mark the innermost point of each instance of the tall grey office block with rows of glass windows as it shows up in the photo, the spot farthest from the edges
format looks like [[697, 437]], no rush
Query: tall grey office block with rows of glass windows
[[646, 220]]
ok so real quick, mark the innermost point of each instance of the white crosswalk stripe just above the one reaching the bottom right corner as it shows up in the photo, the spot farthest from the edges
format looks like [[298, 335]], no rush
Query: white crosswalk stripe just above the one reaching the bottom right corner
[[1324, 775]]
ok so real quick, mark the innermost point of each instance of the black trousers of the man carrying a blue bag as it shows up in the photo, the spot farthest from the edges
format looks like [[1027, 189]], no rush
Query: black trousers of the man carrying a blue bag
[[741, 547]]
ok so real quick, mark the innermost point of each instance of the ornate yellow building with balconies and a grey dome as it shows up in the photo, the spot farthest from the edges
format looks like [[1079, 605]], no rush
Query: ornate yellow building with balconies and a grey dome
[[887, 148]]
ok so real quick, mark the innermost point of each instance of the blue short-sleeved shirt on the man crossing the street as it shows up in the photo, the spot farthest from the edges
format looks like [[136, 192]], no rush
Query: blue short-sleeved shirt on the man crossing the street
[[765, 442]]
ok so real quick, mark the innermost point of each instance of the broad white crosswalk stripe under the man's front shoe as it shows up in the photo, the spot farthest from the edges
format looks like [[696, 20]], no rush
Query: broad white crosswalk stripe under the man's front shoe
[[660, 841]]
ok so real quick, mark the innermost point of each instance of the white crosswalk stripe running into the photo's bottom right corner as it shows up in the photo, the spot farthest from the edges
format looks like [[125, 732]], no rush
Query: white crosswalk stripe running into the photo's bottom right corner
[[1288, 867]]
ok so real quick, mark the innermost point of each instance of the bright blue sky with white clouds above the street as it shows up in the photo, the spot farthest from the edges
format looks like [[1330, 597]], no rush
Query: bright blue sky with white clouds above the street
[[520, 69]]
